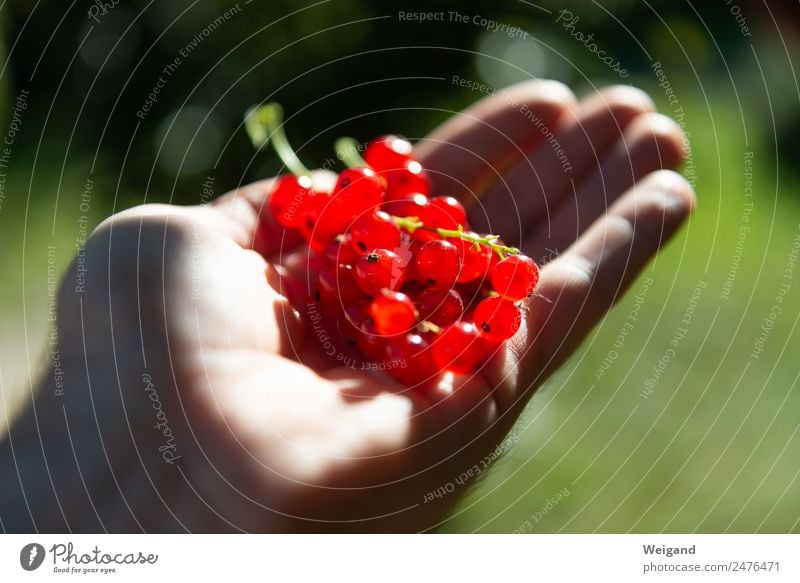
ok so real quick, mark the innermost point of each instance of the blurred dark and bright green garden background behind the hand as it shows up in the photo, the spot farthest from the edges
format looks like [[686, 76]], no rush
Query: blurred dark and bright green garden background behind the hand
[[615, 442]]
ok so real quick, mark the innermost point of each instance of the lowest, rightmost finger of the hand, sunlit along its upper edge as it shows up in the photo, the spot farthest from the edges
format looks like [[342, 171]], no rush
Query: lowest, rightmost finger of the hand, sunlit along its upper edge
[[577, 289]]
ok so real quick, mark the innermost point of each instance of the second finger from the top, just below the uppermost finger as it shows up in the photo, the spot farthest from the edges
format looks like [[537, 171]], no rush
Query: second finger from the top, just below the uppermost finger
[[567, 154]]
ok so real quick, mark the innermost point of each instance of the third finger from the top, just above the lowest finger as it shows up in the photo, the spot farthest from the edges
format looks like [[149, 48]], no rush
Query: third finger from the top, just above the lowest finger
[[651, 142]]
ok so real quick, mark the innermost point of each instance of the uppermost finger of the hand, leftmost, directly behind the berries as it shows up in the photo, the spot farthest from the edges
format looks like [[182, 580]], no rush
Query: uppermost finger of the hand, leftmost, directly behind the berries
[[491, 134]]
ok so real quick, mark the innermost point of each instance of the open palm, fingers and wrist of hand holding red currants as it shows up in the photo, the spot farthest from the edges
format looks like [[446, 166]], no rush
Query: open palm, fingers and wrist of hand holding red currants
[[184, 325]]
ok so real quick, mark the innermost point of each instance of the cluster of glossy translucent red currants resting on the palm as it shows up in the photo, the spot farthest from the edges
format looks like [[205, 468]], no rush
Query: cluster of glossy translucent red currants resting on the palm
[[398, 274]]
